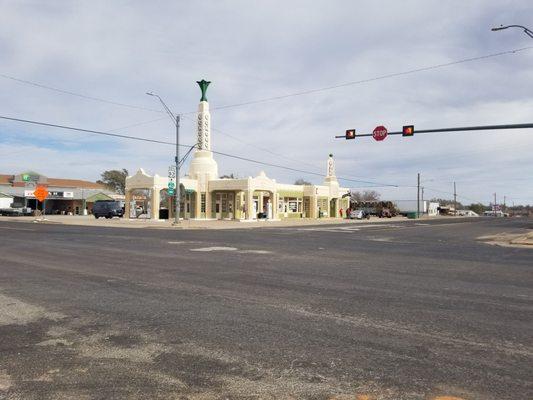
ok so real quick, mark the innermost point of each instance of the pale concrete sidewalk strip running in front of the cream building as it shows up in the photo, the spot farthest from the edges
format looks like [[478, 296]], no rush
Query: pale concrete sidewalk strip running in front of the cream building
[[192, 224]]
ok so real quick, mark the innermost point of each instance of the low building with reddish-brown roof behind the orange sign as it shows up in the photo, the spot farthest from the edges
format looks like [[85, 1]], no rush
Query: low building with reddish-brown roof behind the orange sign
[[66, 196]]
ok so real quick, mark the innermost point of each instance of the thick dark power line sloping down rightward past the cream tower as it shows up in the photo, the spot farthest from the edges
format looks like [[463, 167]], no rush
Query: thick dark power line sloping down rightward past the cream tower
[[115, 135]]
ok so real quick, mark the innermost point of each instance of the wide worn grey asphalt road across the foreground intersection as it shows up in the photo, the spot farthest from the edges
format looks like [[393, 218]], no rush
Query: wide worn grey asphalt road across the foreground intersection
[[412, 310]]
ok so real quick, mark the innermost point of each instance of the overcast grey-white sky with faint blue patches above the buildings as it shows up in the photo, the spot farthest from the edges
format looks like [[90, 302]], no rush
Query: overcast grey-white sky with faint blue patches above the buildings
[[251, 50]]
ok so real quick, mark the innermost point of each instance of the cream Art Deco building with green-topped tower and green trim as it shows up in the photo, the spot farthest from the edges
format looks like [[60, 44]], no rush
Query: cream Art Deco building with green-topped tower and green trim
[[209, 197]]
